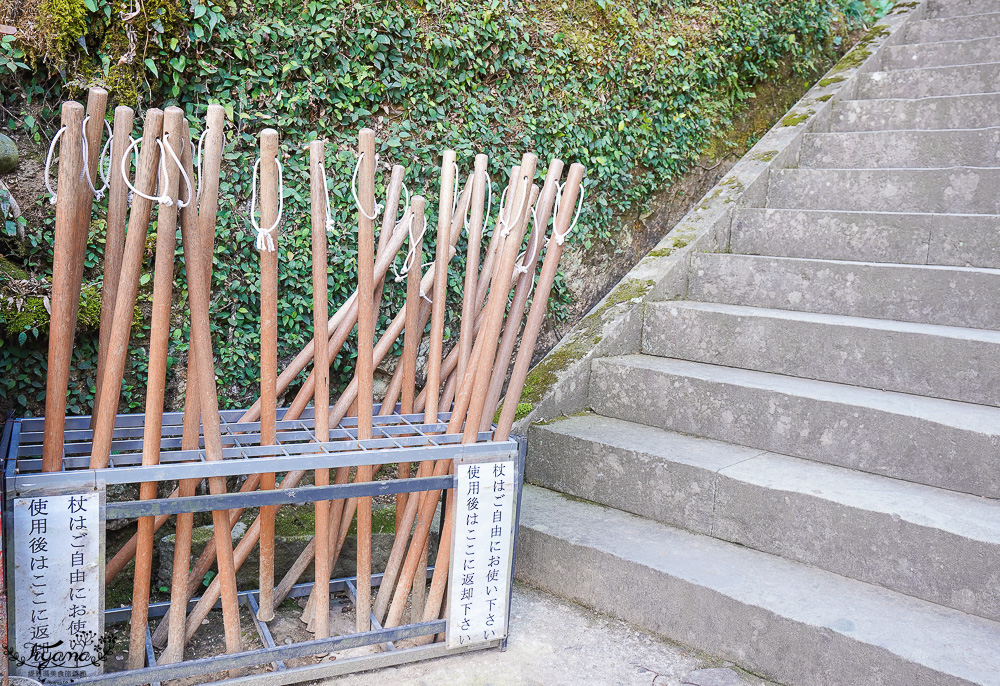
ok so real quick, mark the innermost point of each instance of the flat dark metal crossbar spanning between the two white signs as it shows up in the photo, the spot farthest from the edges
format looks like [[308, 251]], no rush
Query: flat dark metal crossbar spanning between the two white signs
[[280, 496]]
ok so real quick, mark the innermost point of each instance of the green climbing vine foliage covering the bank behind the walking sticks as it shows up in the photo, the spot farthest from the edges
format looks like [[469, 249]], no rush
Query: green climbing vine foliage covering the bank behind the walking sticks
[[633, 90]]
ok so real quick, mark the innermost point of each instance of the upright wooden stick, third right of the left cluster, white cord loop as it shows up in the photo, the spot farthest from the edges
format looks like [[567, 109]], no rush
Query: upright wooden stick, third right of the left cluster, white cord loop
[[365, 364]]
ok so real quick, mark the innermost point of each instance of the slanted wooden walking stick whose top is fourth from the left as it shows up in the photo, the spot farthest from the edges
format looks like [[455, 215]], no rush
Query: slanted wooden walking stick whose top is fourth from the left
[[128, 286]]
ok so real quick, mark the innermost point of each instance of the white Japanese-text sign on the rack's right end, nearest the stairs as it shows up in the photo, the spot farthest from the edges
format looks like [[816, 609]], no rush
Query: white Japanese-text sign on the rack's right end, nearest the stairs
[[481, 552]]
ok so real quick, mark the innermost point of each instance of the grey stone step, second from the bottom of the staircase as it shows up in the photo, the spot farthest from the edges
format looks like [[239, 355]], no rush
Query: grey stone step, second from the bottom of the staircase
[[924, 542]]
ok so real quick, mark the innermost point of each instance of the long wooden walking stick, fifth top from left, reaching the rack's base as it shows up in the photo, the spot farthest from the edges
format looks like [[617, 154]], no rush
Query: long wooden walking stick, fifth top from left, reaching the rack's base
[[159, 338]]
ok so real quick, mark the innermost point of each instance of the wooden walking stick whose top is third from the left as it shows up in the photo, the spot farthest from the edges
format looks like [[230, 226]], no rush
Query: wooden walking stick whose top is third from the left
[[114, 242]]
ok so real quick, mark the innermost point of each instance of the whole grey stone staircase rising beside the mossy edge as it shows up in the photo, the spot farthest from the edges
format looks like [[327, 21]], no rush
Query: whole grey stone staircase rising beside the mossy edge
[[798, 469]]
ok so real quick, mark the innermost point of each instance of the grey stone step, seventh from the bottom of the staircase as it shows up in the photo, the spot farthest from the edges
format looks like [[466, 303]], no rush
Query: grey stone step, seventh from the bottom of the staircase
[[962, 190]]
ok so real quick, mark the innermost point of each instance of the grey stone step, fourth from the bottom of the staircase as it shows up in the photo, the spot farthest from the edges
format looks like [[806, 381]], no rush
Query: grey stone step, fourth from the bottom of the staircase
[[922, 359]]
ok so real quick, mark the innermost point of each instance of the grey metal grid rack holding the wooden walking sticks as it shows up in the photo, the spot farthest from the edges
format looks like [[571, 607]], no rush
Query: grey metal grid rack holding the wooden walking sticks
[[396, 438]]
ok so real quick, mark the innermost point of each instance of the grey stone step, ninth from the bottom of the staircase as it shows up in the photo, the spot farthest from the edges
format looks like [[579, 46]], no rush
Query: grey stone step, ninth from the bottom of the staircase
[[945, 112]]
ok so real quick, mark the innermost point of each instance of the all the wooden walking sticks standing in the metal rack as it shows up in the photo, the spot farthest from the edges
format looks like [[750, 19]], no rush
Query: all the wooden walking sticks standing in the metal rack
[[468, 382]]
